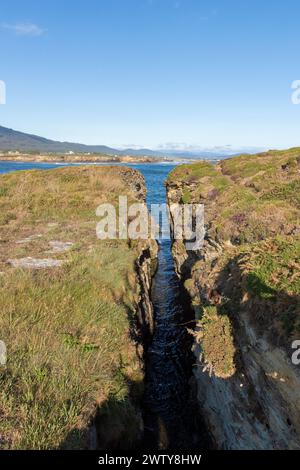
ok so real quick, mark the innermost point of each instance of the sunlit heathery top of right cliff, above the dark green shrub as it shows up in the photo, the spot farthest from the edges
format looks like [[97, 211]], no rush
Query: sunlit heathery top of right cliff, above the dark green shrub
[[249, 198]]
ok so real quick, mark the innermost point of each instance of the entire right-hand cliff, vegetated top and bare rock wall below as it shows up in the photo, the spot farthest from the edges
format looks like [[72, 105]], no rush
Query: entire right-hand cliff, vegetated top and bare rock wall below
[[244, 287]]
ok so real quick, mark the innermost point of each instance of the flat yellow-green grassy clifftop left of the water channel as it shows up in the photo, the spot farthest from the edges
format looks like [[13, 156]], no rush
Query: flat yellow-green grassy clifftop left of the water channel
[[66, 329]]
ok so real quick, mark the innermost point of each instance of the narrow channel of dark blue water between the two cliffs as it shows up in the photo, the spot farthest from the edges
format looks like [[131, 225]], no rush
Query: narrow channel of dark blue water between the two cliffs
[[169, 419]]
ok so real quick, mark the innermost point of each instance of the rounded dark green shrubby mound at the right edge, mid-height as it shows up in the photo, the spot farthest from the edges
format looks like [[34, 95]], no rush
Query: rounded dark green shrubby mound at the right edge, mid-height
[[271, 270]]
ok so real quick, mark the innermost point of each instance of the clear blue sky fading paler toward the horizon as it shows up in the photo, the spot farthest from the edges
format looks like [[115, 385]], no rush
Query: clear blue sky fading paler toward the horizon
[[155, 73]]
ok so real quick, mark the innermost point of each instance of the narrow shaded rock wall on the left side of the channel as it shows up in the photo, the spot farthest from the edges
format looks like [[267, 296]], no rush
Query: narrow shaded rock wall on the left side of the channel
[[110, 431]]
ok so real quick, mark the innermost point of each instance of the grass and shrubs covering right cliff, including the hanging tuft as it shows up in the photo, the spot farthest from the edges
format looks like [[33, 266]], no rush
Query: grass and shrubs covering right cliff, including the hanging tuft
[[252, 209]]
